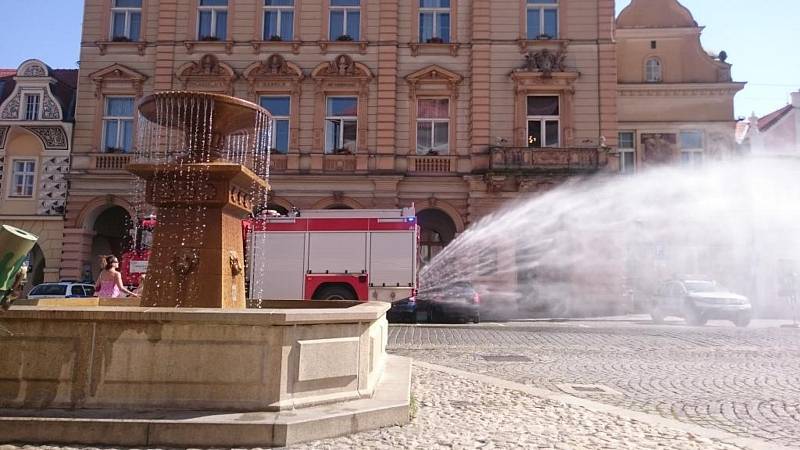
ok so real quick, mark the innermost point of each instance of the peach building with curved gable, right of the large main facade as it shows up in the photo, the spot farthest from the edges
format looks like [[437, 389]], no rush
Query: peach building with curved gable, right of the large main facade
[[675, 99]]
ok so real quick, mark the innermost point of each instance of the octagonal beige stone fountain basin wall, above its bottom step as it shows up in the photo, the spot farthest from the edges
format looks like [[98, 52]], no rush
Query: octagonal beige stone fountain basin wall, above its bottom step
[[286, 355]]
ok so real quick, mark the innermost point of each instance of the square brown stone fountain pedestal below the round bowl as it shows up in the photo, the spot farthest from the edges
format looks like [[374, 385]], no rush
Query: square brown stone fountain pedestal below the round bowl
[[197, 245]]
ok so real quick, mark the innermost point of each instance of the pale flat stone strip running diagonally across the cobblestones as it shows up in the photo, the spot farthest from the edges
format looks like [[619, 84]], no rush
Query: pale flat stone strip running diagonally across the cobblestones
[[594, 406]]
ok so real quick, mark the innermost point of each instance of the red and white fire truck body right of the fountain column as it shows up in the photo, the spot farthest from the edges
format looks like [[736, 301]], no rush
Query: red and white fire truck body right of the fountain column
[[333, 254]]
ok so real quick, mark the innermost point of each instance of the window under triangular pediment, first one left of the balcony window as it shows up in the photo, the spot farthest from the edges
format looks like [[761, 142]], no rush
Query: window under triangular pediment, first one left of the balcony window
[[433, 126]]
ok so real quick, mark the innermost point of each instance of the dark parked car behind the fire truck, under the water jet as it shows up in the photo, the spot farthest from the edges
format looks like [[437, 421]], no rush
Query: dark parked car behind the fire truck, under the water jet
[[457, 301]]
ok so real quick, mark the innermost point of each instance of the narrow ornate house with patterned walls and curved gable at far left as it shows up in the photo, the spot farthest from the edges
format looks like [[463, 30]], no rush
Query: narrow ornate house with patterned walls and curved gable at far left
[[37, 106]]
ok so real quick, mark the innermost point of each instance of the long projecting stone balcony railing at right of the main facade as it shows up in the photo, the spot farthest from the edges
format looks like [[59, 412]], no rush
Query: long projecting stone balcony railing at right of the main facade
[[544, 159]]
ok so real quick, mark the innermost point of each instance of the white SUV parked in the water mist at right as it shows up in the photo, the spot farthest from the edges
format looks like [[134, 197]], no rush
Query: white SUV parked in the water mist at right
[[697, 301]]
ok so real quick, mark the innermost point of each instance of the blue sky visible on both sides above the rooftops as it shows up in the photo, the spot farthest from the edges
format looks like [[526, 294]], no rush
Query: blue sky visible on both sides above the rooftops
[[756, 35]]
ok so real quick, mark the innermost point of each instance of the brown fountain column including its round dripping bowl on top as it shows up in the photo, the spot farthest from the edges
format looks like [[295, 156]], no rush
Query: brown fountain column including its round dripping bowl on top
[[197, 256]]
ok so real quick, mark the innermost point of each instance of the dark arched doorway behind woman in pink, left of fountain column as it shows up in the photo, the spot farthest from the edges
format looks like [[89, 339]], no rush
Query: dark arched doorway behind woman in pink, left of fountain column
[[112, 236]]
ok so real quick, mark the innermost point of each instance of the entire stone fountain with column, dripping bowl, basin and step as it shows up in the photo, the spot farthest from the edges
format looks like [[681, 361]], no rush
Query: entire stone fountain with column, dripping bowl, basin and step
[[191, 366]]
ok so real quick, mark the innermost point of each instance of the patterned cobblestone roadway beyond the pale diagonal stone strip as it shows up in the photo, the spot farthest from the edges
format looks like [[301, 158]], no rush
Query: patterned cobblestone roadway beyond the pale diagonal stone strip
[[742, 381]]
